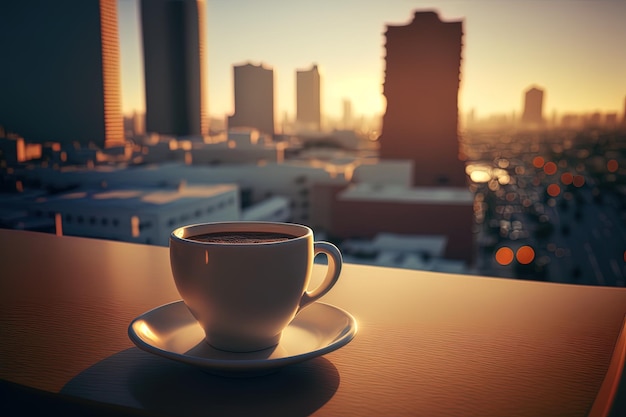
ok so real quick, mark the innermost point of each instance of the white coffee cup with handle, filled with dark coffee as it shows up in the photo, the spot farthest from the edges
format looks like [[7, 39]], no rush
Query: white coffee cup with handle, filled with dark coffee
[[244, 294]]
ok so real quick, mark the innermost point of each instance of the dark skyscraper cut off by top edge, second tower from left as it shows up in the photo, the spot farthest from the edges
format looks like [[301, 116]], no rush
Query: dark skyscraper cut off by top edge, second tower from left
[[175, 66]]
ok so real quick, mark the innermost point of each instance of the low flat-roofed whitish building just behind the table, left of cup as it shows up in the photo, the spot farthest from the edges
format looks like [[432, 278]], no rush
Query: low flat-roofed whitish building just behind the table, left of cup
[[139, 215]]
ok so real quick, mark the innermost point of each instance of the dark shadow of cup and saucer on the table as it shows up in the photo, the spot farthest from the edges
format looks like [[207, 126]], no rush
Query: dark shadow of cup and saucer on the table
[[140, 380]]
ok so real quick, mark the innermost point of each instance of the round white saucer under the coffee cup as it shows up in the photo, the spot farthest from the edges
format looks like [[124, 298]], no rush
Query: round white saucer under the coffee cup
[[172, 332]]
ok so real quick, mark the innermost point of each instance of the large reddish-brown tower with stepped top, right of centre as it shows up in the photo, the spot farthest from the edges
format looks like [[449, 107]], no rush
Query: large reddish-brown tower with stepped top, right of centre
[[421, 87]]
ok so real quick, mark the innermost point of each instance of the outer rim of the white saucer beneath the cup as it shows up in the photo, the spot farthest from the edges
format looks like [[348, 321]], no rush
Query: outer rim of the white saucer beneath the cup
[[242, 365]]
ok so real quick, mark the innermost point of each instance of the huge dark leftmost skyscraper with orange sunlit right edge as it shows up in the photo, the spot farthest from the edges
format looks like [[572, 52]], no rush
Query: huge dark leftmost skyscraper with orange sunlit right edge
[[60, 72]]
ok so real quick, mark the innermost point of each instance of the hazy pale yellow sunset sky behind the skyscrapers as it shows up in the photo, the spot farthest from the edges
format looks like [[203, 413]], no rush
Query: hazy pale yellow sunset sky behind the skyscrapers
[[573, 49]]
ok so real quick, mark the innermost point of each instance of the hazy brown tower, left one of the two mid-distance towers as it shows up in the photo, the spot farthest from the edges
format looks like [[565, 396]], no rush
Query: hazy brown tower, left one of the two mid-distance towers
[[254, 98]]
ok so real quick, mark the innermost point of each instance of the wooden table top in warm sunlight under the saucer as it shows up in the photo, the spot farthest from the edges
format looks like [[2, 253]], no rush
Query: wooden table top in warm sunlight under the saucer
[[428, 344]]
